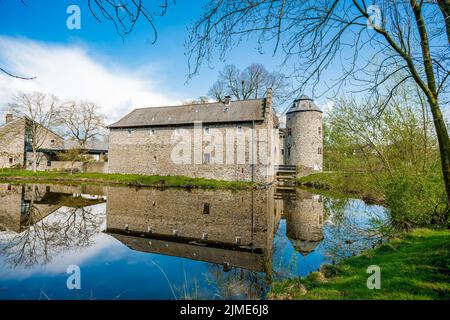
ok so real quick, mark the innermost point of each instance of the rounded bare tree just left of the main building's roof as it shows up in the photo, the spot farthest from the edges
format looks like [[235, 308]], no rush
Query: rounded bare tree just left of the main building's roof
[[82, 120]]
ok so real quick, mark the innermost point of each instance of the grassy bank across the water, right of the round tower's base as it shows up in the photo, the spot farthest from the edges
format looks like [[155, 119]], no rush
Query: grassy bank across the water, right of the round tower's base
[[344, 184]]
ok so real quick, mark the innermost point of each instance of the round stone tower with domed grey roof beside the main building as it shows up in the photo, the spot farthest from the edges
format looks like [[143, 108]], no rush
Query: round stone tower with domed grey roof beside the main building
[[304, 136]]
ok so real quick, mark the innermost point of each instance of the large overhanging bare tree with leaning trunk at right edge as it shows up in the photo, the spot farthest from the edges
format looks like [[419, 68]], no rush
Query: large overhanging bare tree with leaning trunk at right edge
[[366, 45]]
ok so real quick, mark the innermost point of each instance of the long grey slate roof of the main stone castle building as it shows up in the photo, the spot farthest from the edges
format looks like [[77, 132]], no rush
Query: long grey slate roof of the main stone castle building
[[216, 112]]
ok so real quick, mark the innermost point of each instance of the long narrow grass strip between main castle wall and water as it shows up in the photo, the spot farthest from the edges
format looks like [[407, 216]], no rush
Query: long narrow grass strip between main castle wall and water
[[121, 179]]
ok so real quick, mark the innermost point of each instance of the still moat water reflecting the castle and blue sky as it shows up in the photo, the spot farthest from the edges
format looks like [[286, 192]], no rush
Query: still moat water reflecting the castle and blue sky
[[138, 243]]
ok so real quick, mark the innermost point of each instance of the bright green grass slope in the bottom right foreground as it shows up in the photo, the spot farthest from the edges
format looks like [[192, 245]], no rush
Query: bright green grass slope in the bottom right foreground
[[415, 266]]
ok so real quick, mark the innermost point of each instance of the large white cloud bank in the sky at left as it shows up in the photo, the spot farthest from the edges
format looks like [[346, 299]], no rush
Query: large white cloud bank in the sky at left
[[71, 72]]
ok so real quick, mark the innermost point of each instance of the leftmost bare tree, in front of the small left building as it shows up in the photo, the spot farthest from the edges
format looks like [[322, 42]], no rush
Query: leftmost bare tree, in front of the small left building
[[40, 113]]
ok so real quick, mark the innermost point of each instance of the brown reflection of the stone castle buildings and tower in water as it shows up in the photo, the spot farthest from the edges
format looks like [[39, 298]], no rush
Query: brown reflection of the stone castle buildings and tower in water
[[226, 227]]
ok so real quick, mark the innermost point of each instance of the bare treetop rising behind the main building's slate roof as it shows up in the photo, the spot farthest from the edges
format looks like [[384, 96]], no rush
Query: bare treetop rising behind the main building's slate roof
[[252, 82]]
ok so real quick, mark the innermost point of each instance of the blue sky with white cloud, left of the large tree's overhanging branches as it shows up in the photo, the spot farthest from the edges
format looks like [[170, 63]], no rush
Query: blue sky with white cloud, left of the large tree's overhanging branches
[[160, 68]]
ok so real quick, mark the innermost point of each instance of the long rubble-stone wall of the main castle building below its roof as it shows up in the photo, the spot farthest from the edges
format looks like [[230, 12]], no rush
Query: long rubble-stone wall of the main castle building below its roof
[[140, 151]]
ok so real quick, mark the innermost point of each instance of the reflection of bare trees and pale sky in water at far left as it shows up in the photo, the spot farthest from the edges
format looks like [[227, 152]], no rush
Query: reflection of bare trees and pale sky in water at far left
[[47, 234]]
